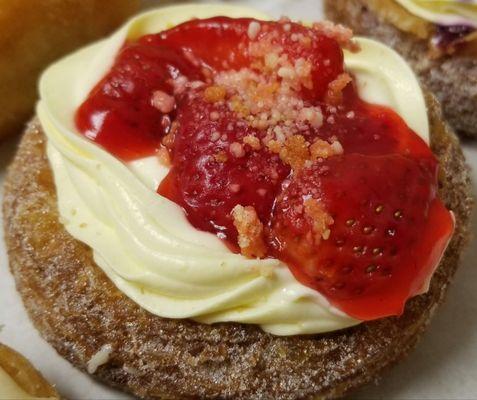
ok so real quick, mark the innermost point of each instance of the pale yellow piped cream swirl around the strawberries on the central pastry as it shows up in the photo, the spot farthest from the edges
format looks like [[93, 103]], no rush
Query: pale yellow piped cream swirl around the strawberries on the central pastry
[[143, 241]]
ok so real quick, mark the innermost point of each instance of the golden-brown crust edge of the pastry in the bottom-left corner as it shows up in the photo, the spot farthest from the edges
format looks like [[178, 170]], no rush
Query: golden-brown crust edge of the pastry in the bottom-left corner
[[24, 374]]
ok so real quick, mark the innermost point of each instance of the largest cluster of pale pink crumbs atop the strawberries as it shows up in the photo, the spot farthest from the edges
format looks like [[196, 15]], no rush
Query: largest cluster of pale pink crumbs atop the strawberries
[[267, 95]]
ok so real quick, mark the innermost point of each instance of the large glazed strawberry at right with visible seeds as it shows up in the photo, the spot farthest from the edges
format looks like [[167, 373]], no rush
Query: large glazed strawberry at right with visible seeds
[[387, 231]]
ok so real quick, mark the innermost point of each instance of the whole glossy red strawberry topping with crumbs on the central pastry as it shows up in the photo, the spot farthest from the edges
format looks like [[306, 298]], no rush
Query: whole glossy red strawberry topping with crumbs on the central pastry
[[261, 122]]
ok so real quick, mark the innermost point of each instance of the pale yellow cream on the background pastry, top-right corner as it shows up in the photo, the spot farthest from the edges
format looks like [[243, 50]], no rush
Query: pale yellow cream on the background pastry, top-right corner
[[443, 12]]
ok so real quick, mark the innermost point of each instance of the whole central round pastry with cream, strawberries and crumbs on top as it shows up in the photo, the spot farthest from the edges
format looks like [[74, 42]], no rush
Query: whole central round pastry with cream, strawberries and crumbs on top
[[223, 207]]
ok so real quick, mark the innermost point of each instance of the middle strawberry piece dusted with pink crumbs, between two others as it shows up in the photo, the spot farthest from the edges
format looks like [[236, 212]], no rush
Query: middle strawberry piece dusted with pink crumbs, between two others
[[214, 169]]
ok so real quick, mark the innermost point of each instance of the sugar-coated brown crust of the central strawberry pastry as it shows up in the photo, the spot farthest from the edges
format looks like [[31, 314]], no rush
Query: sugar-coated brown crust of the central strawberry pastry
[[78, 310]]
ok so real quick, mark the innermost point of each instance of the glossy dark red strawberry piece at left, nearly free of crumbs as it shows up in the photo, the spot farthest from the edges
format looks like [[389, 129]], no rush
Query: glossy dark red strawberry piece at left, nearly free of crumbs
[[118, 114]]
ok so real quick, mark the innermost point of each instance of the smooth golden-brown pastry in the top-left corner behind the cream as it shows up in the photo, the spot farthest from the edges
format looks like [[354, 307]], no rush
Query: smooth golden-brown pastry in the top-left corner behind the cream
[[35, 33]]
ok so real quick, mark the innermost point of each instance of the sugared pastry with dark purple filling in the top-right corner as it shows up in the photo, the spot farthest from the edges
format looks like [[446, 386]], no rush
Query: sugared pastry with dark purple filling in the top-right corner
[[439, 39]]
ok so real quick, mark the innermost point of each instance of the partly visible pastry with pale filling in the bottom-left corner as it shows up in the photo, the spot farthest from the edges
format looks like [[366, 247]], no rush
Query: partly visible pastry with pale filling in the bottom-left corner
[[20, 380]]
